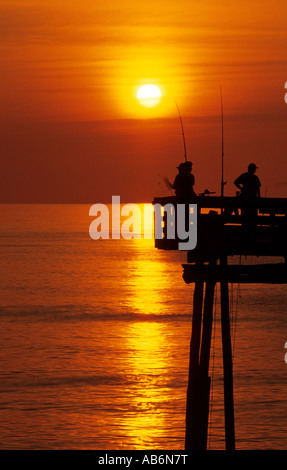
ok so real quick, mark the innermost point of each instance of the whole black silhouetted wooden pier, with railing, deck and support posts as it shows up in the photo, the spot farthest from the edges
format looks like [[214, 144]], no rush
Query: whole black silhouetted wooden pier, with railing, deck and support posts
[[223, 232]]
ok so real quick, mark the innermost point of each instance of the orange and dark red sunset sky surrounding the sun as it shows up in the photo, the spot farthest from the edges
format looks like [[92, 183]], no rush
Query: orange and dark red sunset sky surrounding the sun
[[72, 129]]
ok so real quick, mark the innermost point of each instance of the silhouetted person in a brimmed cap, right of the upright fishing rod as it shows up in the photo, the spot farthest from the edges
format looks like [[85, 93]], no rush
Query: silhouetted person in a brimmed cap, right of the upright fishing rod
[[249, 185]]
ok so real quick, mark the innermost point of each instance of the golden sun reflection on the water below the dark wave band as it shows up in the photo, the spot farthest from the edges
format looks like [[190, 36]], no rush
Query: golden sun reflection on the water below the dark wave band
[[148, 362]]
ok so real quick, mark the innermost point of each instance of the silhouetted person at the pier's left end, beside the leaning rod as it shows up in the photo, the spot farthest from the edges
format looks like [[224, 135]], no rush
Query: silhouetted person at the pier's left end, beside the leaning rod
[[184, 182]]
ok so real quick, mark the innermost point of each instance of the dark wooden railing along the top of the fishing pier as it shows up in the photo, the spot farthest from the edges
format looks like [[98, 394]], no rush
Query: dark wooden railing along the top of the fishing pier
[[231, 226]]
